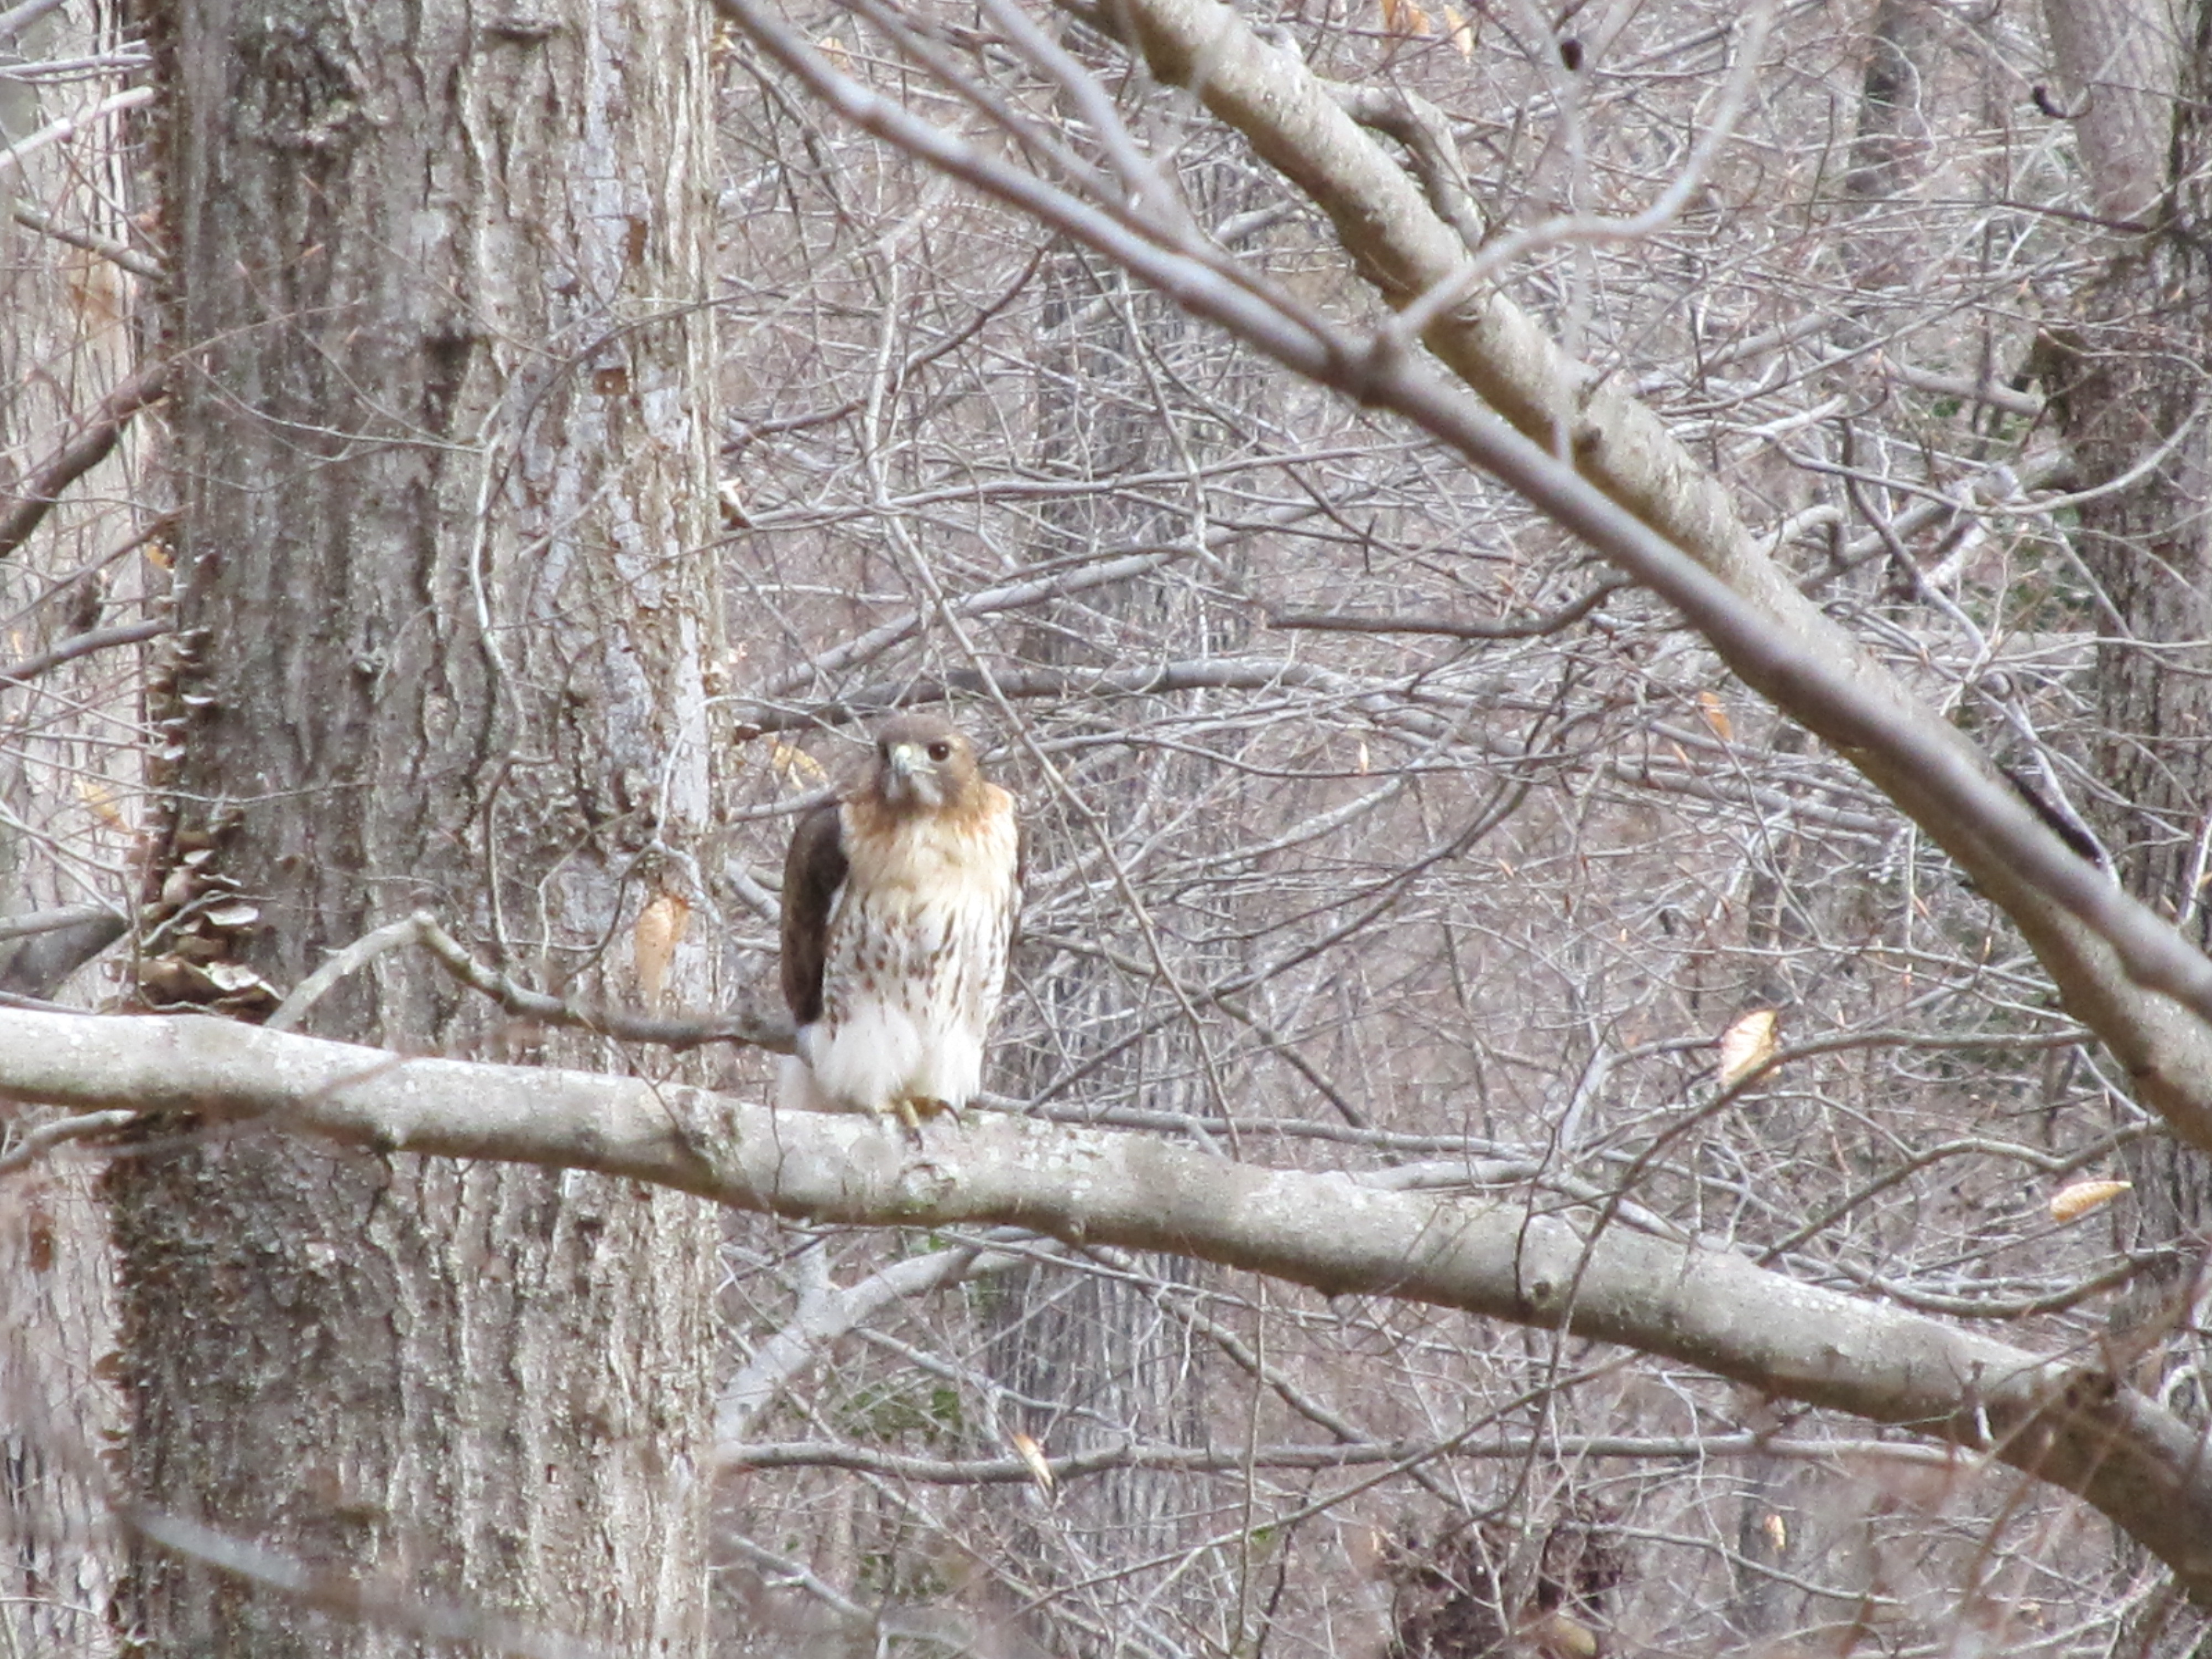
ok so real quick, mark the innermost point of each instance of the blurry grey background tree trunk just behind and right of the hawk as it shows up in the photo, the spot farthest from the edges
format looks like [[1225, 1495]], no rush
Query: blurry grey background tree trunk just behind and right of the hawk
[[1094, 1344]]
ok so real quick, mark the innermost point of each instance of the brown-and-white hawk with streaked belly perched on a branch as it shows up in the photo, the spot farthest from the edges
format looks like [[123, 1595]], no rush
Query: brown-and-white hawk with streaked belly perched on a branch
[[899, 906]]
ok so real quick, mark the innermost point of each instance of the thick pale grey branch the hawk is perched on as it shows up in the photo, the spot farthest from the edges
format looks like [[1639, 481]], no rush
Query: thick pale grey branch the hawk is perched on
[[1525, 1262]]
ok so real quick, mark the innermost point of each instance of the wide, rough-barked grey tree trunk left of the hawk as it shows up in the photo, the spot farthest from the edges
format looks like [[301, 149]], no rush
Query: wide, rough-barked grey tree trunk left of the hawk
[[444, 457]]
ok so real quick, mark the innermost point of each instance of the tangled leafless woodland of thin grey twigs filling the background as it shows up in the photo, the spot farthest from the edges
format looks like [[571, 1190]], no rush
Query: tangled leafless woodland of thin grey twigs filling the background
[[1377, 826]]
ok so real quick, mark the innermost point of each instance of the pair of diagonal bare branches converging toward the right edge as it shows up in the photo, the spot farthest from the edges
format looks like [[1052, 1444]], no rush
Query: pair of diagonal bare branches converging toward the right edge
[[1665, 521]]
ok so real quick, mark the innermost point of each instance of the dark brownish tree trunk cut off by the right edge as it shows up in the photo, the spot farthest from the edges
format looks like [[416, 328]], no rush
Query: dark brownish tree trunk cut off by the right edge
[[2127, 384]]
